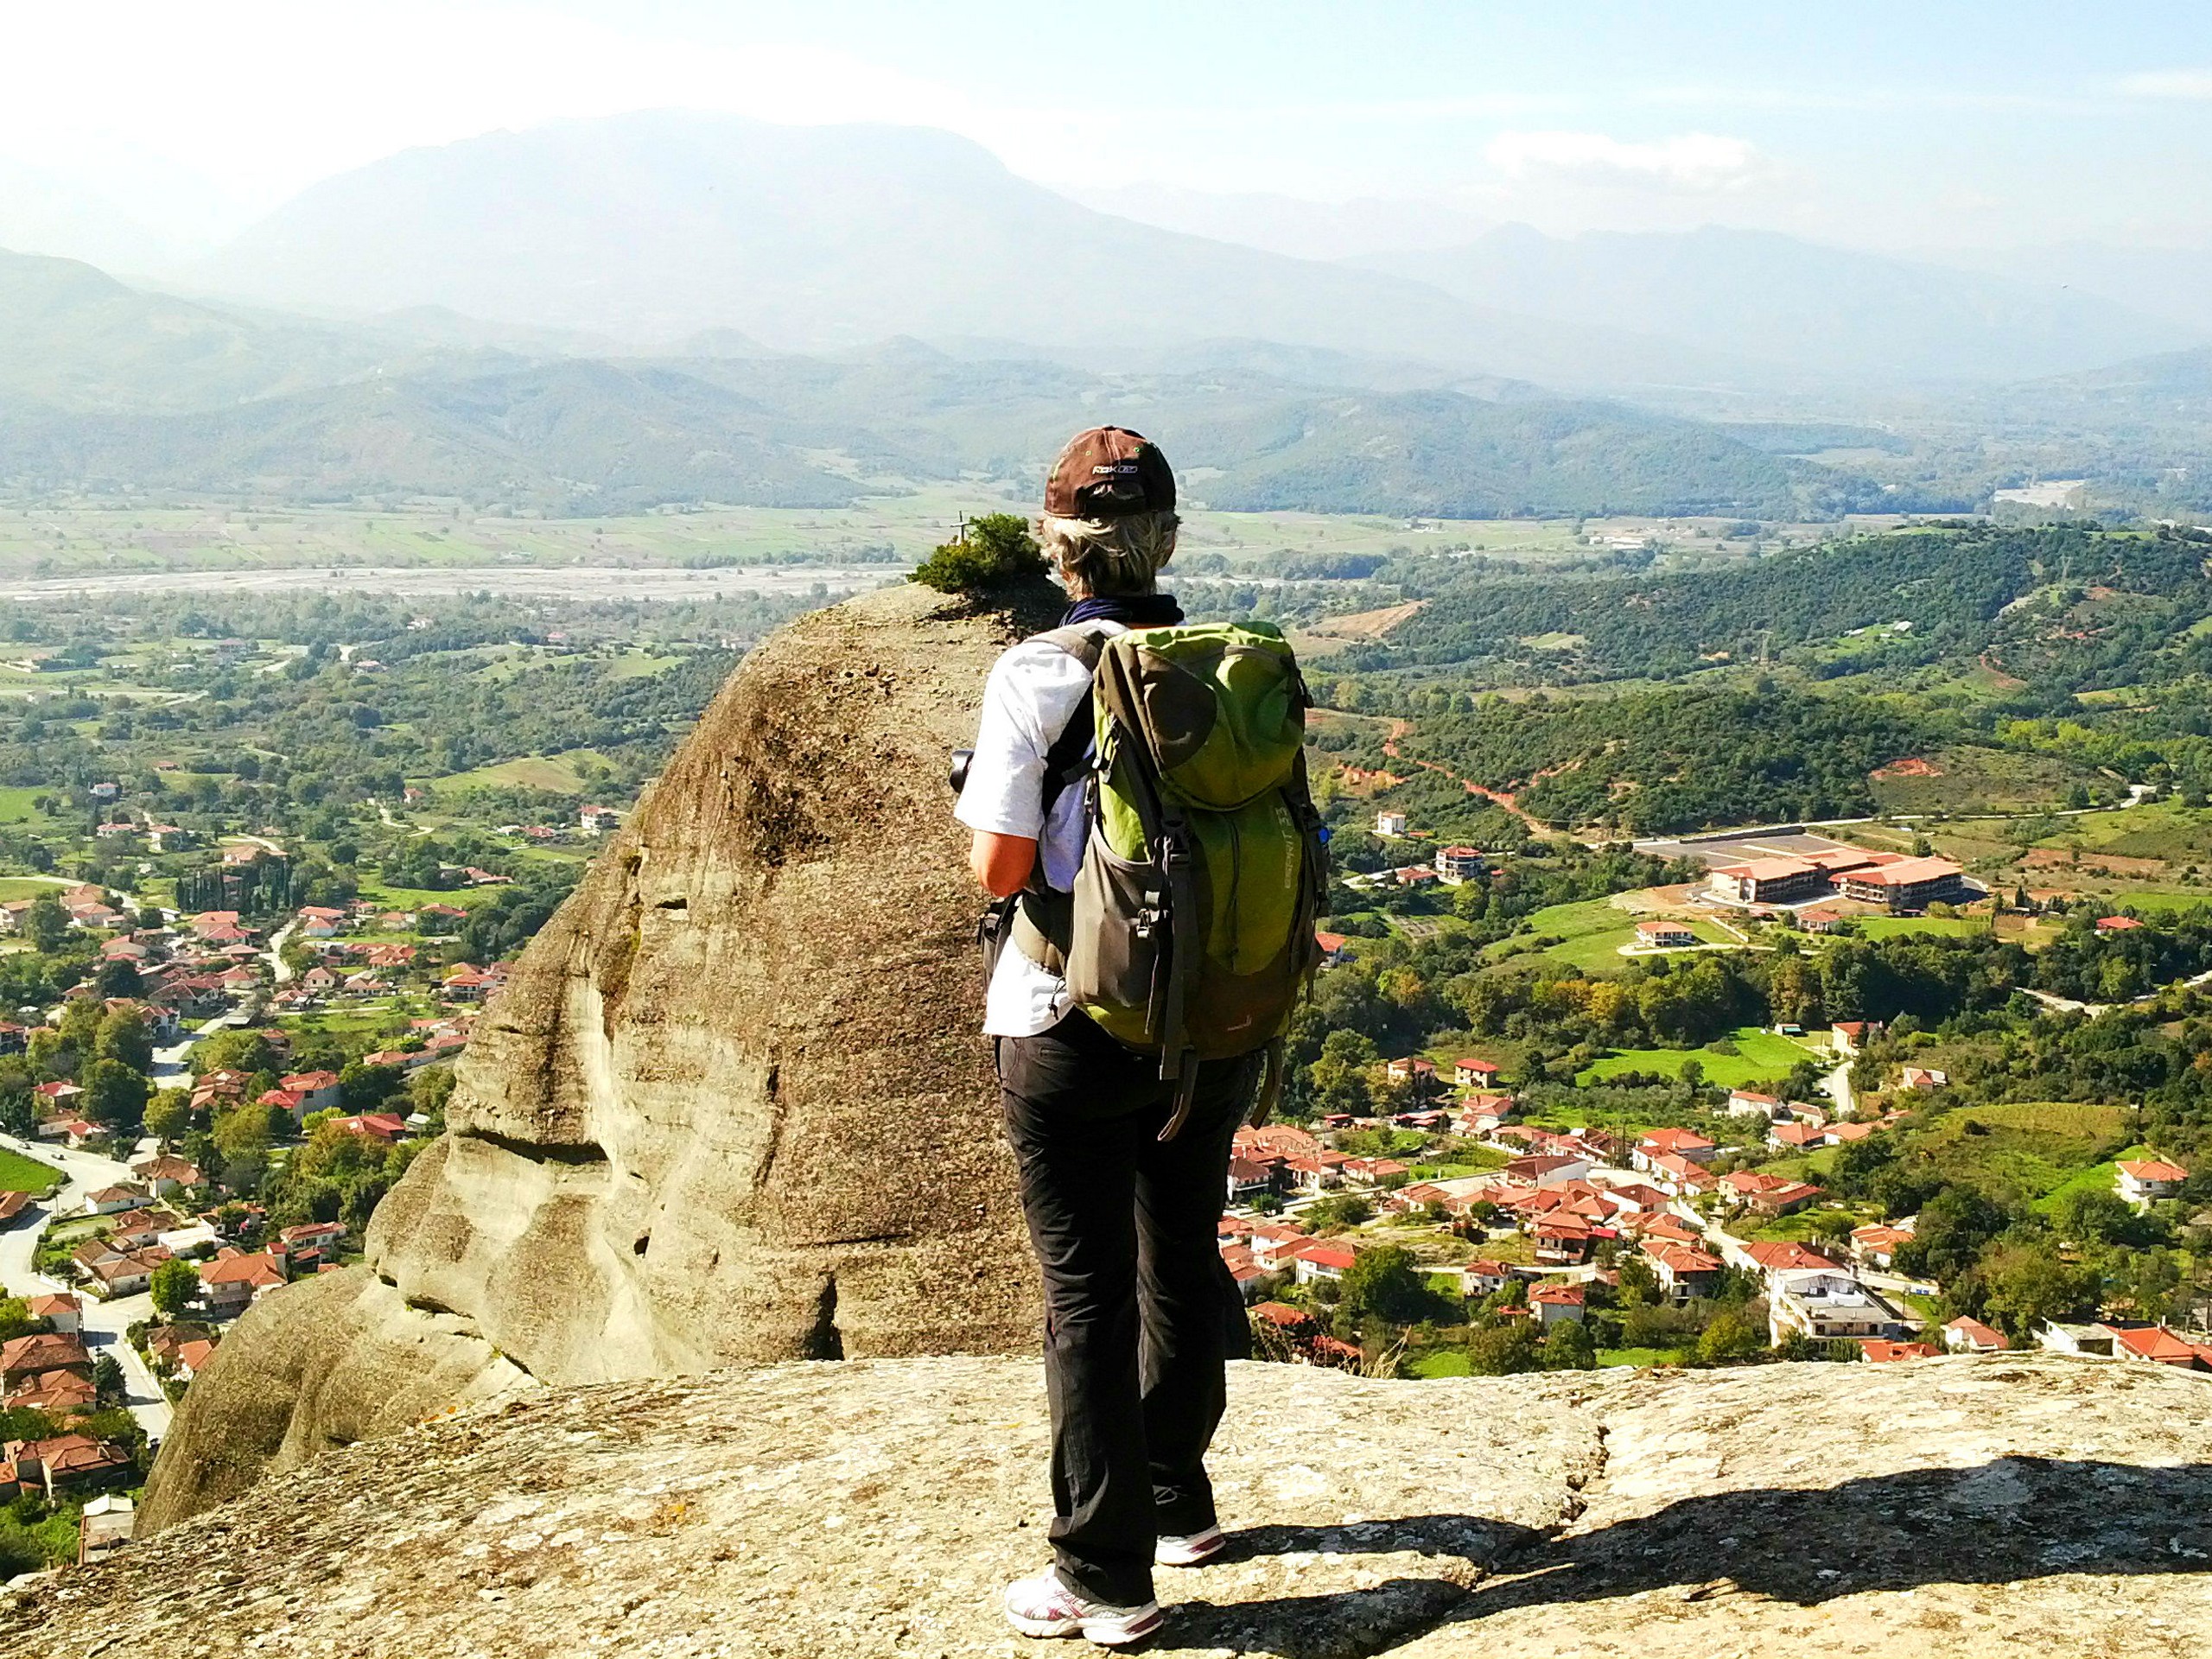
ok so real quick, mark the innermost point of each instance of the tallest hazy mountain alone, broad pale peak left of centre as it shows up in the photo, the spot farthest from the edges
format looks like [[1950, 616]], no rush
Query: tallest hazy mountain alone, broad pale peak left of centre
[[822, 238]]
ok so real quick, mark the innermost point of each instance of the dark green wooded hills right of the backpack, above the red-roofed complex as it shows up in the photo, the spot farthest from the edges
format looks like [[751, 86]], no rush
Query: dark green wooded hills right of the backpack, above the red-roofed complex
[[2072, 656]]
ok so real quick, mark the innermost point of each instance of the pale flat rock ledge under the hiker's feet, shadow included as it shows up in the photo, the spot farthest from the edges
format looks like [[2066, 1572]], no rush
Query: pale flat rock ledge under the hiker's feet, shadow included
[[1961, 1510]]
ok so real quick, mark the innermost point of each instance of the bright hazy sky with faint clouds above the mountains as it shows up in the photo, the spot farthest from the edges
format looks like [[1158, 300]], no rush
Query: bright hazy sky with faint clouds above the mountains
[[1877, 125]]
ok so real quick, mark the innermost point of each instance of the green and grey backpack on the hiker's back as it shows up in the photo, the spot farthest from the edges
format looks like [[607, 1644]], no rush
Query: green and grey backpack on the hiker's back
[[1191, 928]]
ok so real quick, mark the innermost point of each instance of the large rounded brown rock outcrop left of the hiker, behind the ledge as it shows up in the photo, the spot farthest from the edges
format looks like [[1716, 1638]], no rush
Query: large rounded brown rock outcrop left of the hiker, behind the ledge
[[733, 1105]]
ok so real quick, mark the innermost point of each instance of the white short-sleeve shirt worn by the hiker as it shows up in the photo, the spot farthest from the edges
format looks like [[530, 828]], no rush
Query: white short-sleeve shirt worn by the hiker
[[1027, 702]]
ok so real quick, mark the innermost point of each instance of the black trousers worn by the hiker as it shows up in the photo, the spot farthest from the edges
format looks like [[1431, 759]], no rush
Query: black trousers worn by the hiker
[[1140, 1313]]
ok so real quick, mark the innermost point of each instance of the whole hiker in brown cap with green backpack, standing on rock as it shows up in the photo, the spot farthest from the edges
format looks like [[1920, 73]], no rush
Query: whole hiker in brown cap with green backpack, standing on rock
[[1131, 1012]]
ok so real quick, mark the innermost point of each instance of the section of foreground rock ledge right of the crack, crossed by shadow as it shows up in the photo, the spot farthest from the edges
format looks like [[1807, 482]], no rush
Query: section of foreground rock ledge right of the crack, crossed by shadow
[[1943, 1507]]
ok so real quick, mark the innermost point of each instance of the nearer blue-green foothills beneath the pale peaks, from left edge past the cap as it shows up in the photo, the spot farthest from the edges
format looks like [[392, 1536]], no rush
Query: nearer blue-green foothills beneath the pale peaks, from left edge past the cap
[[107, 388]]
